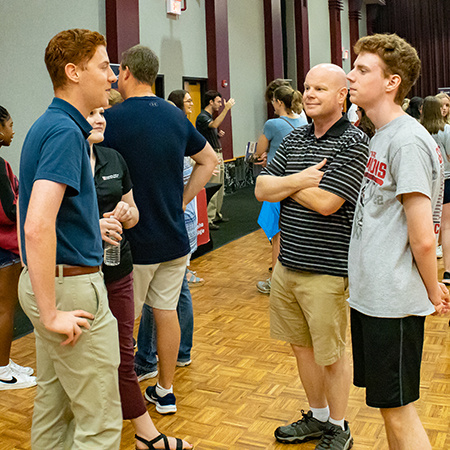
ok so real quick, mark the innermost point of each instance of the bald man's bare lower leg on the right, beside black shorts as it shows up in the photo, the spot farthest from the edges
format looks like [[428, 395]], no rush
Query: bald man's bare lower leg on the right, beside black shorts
[[337, 387]]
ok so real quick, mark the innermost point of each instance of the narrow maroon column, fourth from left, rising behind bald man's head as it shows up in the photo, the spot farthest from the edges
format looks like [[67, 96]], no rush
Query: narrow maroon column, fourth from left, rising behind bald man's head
[[302, 41]]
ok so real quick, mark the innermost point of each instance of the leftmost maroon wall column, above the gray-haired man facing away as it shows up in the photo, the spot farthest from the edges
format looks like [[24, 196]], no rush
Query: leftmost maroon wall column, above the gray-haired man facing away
[[122, 26]]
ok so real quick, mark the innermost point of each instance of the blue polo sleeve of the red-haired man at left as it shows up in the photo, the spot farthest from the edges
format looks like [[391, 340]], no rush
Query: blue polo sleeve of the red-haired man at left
[[61, 159]]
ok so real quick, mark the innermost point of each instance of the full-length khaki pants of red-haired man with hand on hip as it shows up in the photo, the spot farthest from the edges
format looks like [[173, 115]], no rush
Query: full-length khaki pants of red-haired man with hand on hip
[[77, 404]]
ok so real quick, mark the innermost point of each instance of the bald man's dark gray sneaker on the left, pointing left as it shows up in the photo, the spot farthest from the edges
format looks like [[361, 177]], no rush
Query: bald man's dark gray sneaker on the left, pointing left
[[305, 429]]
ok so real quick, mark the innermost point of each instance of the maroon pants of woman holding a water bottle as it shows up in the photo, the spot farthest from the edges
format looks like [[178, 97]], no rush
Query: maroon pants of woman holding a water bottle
[[121, 303]]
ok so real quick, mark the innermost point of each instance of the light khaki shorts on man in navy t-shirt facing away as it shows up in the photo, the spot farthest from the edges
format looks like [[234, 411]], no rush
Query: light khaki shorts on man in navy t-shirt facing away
[[158, 285]]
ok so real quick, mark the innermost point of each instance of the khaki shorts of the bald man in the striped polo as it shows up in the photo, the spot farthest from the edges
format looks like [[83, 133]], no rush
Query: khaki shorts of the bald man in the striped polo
[[310, 310]]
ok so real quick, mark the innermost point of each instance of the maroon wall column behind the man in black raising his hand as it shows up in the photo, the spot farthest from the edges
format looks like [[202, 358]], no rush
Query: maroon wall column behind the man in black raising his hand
[[217, 48]]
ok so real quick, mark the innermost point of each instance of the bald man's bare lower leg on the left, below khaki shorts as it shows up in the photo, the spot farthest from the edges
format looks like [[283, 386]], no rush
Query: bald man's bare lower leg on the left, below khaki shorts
[[311, 375]]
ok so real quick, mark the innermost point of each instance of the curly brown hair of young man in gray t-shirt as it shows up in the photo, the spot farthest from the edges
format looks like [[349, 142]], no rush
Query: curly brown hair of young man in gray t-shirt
[[399, 57]]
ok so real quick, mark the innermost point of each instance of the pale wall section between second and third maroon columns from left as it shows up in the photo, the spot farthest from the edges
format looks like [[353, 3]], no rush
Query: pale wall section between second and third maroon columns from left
[[247, 71]]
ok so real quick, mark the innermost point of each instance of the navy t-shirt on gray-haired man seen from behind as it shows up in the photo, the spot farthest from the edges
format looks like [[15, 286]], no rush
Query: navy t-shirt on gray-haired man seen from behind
[[153, 136]]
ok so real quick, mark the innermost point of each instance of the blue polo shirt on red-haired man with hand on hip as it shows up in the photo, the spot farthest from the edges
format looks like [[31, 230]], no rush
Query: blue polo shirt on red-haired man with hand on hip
[[56, 149]]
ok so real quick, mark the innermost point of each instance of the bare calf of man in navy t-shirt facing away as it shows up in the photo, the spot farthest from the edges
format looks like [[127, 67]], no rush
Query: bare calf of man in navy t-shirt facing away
[[168, 337]]
